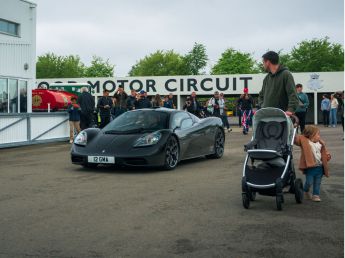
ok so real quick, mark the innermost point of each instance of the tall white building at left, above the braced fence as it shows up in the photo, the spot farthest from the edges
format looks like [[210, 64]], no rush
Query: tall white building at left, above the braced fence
[[17, 55]]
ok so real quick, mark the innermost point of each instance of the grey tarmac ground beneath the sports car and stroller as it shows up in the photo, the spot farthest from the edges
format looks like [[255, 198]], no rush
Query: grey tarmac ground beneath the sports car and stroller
[[51, 208]]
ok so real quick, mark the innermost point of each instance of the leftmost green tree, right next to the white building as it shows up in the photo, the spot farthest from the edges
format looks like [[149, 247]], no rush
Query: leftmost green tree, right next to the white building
[[53, 66]]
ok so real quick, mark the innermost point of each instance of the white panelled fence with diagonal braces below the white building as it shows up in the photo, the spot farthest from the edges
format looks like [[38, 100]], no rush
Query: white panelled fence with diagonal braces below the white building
[[32, 128]]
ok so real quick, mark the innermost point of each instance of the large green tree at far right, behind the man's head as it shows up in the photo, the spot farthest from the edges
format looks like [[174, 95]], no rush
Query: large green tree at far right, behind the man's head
[[316, 55]]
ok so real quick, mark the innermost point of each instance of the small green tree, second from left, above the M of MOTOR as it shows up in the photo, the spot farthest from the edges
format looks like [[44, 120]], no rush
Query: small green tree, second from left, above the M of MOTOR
[[99, 68]]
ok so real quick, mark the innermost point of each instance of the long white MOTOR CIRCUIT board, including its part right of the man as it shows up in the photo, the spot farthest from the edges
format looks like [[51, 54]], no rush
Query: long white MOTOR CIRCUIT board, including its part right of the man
[[202, 84]]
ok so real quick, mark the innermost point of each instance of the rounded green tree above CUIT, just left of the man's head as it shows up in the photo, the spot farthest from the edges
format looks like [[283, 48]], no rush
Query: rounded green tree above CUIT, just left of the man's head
[[235, 62]]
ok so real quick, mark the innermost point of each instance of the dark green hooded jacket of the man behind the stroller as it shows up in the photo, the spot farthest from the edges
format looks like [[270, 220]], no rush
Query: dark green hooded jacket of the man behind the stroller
[[279, 91]]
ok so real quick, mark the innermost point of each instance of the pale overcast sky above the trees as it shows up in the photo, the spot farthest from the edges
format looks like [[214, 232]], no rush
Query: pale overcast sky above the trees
[[128, 30]]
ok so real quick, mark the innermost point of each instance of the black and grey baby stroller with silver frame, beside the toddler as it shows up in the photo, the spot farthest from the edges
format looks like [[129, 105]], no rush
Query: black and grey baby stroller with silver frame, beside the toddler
[[268, 166]]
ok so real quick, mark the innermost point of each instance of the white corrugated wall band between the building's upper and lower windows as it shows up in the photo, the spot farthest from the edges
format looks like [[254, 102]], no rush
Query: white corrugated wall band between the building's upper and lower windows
[[13, 57]]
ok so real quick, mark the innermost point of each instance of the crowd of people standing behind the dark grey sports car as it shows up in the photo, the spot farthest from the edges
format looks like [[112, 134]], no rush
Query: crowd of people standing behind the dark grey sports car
[[84, 112]]
